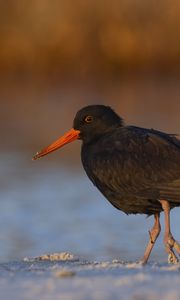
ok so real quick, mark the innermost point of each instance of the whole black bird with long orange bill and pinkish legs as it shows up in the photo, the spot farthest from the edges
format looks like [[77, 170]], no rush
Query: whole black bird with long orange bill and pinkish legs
[[136, 169]]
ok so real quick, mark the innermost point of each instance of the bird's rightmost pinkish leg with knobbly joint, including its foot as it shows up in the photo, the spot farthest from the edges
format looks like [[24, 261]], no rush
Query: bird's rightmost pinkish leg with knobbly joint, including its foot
[[169, 240]]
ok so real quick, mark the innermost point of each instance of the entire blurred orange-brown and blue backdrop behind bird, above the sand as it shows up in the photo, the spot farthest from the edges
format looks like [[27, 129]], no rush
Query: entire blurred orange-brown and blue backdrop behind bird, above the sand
[[55, 57]]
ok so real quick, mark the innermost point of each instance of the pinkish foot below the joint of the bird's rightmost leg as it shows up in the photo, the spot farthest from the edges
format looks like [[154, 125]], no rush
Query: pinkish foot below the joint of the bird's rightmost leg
[[171, 244]]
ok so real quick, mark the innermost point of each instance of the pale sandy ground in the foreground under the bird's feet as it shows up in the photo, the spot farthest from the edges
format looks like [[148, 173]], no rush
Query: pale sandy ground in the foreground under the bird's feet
[[65, 276]]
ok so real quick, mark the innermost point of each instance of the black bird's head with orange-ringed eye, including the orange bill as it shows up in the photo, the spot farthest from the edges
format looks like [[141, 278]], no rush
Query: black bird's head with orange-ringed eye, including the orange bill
[[89, 124]]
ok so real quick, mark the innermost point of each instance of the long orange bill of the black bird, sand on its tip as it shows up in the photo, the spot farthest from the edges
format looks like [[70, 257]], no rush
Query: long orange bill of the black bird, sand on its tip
[[68, 137]]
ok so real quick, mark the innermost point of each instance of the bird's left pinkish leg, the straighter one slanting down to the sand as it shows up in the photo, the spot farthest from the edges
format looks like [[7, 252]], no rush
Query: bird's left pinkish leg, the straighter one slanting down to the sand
[[153, 234]]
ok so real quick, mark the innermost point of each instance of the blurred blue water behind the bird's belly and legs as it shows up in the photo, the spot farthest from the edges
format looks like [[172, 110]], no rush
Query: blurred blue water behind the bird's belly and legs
[[50, 207]]
